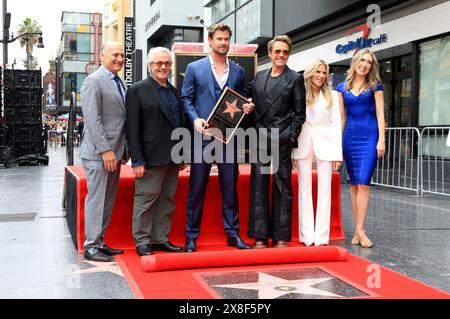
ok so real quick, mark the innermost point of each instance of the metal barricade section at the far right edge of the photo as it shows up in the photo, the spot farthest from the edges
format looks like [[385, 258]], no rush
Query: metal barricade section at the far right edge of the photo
[[435, 164]]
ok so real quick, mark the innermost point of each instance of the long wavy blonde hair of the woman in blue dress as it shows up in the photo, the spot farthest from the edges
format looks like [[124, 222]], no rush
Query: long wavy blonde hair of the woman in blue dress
[[372, 79]]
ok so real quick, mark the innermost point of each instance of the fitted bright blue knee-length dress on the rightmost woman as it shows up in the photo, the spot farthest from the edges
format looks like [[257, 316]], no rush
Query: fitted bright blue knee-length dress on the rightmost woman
[[359, 142]]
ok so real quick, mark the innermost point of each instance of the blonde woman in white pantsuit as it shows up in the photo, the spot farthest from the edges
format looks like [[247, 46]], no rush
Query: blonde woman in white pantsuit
[[320, 138]]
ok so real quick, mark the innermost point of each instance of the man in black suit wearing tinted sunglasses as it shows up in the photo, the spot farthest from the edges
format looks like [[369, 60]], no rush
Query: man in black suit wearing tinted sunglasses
[[279, 97]]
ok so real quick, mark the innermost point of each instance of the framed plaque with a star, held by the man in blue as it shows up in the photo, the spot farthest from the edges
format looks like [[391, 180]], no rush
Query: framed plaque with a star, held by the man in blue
[[226, 115]]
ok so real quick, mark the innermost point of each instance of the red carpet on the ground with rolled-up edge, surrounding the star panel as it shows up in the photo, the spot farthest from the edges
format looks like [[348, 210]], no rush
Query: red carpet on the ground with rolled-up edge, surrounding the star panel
[[365, 278]]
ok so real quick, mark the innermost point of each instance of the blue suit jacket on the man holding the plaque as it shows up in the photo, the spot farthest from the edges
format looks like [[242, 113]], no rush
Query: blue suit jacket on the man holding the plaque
[[198, 95]]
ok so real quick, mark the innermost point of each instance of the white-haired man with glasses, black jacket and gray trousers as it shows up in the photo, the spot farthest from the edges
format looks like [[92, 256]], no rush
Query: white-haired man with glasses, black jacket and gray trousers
[[153, 112]]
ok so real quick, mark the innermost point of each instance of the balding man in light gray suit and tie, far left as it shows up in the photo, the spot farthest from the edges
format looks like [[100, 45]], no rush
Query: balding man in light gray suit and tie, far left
[[103, 149]]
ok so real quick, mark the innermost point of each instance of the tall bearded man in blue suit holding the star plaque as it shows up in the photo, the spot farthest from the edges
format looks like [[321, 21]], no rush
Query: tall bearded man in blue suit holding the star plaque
[[203, 85]]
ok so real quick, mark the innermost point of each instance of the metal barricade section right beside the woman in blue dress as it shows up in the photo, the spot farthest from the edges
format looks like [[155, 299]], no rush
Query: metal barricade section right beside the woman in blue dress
[[400, 166]]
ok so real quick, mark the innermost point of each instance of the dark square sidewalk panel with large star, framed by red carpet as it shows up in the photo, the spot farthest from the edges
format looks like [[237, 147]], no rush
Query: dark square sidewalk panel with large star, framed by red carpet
[[285, 283]]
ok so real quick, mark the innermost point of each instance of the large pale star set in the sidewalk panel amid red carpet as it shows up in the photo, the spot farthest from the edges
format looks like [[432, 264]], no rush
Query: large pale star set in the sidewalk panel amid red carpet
[[271, 287]]
